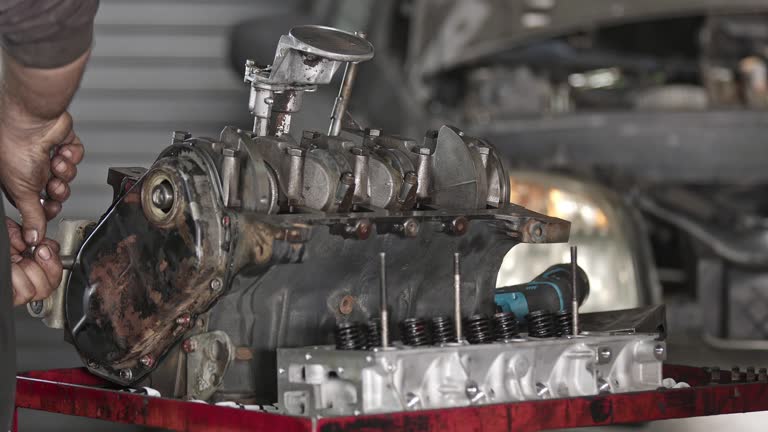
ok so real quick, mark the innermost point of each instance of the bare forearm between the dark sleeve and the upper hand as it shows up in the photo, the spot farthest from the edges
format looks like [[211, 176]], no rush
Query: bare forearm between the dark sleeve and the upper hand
[[36, 95]]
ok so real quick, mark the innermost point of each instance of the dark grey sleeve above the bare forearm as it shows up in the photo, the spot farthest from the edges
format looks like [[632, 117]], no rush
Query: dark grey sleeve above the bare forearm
[[46, 33]]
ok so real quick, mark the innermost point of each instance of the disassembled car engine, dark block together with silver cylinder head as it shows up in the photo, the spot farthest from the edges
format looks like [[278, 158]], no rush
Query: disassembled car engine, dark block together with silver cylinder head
[[348, 271]]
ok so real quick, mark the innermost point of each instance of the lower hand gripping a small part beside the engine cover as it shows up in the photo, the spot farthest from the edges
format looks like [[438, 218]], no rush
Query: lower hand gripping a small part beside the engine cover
[[32, 277]]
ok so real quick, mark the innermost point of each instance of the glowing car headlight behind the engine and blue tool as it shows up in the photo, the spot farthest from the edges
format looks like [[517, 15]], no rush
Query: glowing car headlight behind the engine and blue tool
[[613, 250]]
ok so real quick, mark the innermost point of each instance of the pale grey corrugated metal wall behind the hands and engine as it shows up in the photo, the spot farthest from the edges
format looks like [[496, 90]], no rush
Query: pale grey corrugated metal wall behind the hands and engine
[[157, 66]]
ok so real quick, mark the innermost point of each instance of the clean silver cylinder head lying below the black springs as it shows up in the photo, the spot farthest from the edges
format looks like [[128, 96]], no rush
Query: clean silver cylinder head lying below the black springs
[[454, 375]]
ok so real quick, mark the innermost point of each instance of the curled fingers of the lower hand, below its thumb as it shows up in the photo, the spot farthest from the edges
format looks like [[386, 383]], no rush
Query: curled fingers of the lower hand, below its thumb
[[35, 278]]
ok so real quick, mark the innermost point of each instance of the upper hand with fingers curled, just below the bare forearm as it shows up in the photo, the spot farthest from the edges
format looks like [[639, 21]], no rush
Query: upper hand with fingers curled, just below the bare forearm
[[35, 157]]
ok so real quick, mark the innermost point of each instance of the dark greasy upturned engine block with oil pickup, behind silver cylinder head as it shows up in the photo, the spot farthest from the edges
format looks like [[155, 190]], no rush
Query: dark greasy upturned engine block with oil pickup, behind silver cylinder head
[[226, 249]]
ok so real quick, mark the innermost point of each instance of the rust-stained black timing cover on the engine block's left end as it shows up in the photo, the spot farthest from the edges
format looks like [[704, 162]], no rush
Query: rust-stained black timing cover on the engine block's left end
[[138, 273]]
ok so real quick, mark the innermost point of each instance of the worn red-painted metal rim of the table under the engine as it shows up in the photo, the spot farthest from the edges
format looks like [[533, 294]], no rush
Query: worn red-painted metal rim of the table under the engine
[[701, 400]]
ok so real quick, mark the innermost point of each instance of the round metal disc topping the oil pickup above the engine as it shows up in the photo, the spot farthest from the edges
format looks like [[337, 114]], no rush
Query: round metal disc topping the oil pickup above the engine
[[332, 43]]
